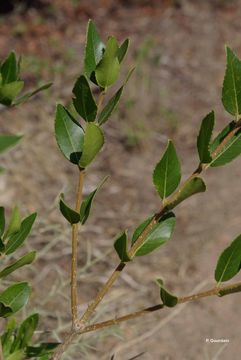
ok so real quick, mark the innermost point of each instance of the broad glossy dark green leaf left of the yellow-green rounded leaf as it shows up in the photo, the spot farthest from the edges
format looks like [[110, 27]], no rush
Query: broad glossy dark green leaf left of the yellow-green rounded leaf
[[69, 135]]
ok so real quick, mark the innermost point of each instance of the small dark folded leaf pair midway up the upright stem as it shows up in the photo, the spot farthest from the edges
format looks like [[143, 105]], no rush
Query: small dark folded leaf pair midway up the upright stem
[[72, 216]]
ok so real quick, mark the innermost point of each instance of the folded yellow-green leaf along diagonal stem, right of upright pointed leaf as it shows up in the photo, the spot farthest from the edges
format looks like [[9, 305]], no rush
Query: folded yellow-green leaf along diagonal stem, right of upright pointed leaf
[[194, 186]]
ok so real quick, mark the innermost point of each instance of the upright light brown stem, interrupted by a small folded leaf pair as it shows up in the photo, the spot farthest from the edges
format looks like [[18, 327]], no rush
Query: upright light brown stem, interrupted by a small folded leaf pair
[[75, 228]]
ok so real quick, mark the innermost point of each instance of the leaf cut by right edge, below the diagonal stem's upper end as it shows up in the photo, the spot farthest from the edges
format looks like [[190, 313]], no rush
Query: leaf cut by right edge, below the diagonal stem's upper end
[[229, 152]]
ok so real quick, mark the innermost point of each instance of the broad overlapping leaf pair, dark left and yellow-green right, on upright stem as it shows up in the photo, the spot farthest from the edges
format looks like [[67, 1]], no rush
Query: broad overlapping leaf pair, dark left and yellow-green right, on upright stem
[[78, 146]]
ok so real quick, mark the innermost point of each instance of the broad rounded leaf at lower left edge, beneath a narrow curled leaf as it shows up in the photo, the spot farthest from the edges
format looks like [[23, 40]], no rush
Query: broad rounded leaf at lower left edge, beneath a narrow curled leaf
[[14, 298]]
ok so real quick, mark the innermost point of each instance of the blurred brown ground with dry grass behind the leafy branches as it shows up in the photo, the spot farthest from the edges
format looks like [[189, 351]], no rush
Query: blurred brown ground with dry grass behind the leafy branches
[[178, 49]]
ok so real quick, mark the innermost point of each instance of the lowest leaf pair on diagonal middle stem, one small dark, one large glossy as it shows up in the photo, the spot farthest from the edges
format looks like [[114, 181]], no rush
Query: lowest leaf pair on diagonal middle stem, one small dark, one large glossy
[[156, 237]]
